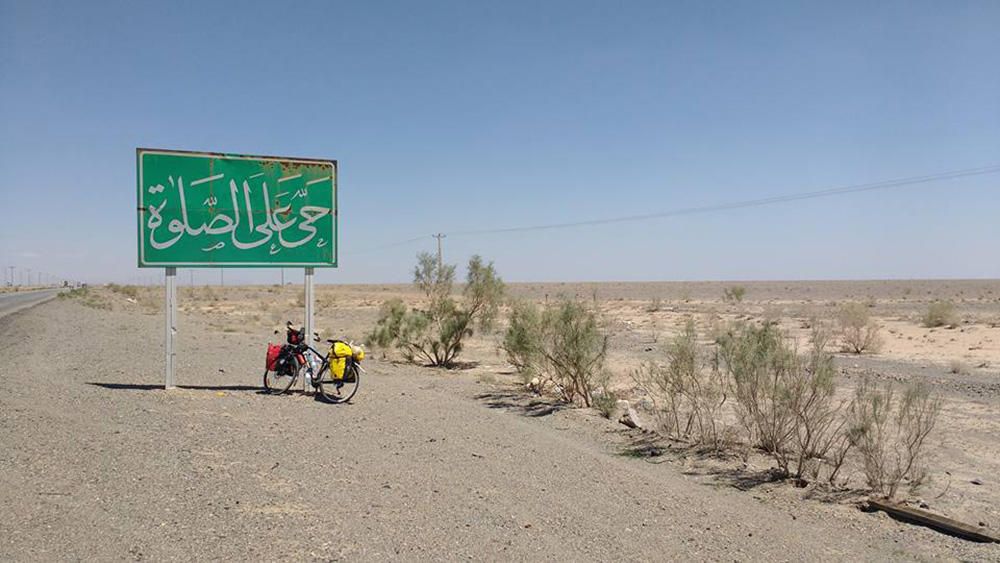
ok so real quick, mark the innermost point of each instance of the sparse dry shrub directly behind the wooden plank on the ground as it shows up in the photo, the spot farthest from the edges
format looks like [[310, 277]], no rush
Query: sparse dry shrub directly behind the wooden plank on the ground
[[891, 433]]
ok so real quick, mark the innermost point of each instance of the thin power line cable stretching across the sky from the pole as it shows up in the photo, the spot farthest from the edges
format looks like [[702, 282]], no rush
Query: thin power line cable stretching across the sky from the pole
[[828, 192]]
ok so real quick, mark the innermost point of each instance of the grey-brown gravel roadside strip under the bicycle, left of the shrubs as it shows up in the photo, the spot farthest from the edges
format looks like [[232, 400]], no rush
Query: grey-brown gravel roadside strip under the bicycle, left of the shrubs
[[96, 462]]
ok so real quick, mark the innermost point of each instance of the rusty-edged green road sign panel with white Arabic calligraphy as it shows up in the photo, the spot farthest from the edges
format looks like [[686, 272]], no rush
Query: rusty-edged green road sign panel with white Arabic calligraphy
[[224, 210]]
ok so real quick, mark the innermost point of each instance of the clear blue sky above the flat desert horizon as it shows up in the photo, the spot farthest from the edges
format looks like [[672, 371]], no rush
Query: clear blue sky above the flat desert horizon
[[448, 116]]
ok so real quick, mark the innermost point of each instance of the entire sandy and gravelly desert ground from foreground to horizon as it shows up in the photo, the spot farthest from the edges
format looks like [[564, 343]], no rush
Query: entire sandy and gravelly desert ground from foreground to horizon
[[97, 461]]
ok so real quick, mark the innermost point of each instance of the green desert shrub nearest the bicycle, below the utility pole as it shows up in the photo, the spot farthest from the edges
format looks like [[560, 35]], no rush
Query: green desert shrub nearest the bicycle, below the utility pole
[[435, 334]]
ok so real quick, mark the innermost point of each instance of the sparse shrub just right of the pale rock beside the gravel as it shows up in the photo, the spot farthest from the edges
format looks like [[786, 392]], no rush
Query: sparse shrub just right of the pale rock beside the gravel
[[687, 391]]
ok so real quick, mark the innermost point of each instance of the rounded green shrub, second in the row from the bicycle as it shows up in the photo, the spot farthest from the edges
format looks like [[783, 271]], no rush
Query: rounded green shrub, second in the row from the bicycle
[[563, 344]]
